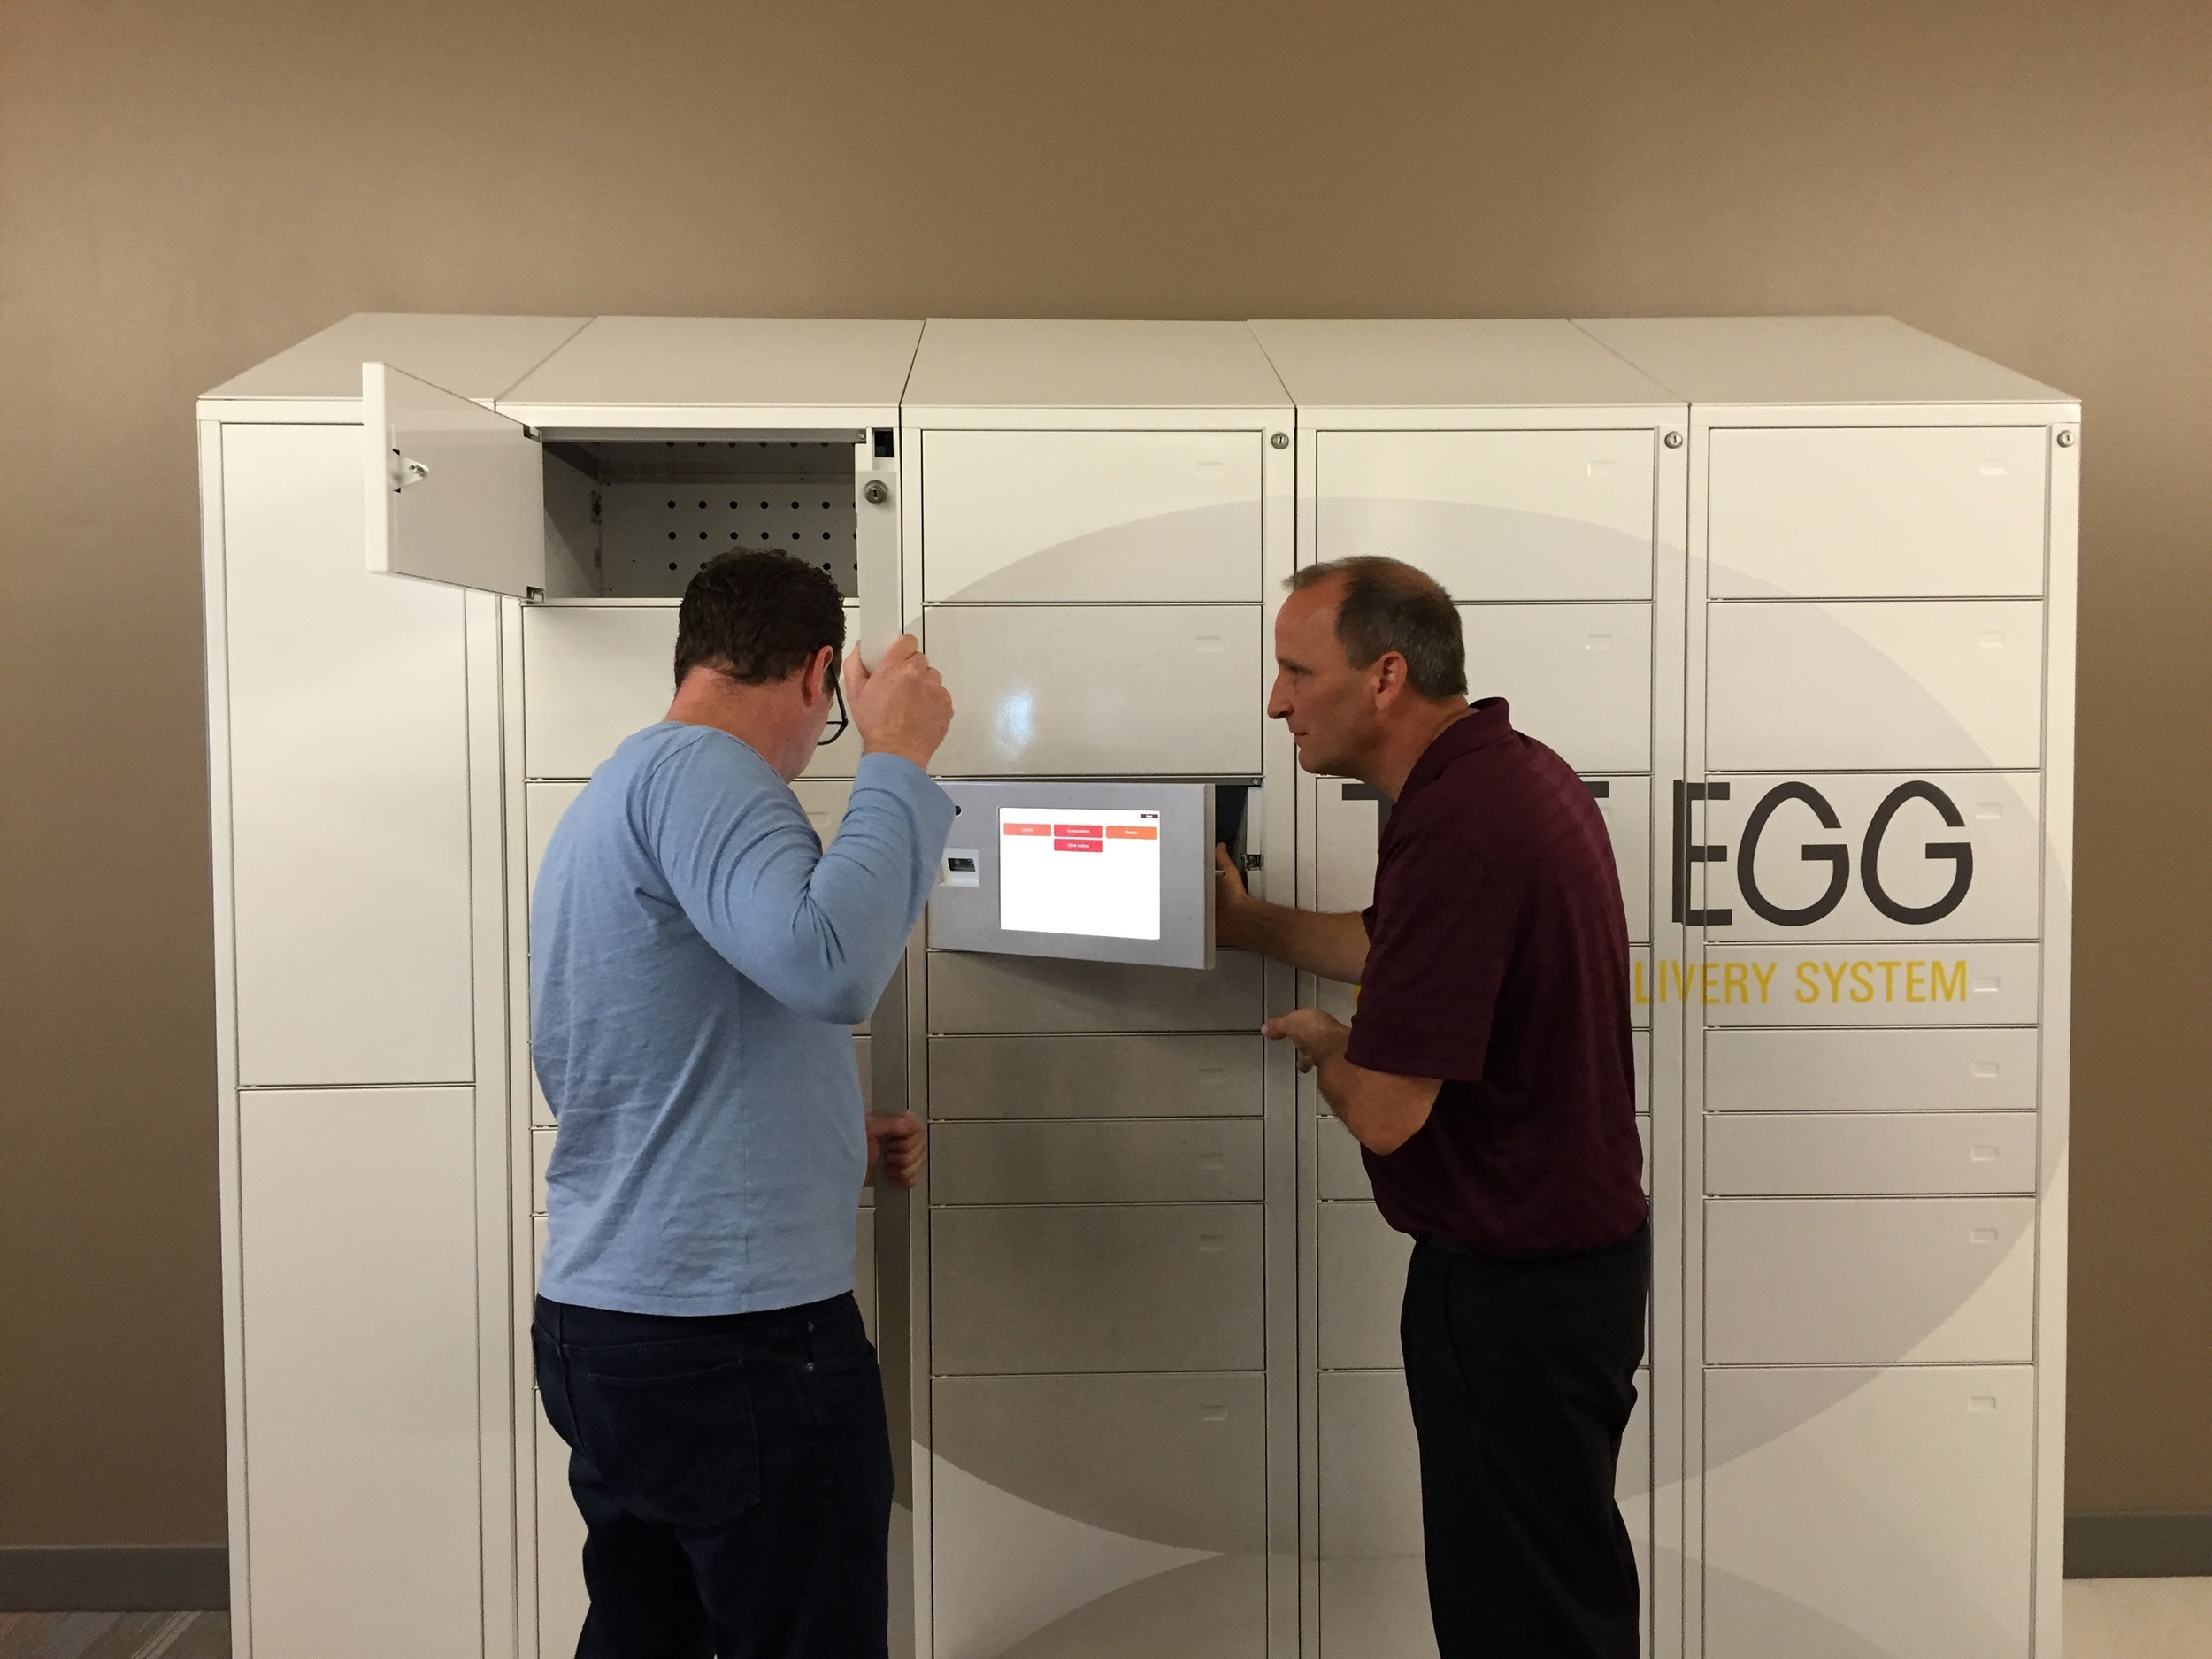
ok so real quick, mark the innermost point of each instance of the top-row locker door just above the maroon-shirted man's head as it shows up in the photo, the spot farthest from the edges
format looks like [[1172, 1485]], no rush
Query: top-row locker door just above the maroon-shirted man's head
[[1494, 514]]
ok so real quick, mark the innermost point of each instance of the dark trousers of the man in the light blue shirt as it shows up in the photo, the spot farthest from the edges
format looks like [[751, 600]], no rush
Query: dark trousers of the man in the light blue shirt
[[733, 1474]]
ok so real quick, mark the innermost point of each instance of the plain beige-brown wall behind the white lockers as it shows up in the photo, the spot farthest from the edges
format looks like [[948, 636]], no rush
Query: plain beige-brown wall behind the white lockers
[[189, 189]]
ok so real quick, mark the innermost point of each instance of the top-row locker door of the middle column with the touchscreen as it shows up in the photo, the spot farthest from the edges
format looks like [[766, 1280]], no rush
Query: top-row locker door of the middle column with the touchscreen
[[1083, 517]]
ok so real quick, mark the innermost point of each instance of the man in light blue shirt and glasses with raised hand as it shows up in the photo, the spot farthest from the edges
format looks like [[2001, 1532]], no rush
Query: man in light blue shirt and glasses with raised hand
[[698, 959]]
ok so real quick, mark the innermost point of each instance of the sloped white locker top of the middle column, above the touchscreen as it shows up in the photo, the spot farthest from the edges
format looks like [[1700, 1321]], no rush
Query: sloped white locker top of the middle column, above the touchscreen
[[1030, 364]]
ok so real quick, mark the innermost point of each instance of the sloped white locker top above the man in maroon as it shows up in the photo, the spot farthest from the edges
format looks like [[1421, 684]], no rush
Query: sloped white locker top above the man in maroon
[[1452, 364]]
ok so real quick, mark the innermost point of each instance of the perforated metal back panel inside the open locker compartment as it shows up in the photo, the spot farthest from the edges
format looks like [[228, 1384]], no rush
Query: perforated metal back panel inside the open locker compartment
[[669, 508]]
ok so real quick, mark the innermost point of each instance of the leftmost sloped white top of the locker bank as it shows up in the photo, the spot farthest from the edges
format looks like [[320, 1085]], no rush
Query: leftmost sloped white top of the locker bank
[[477, 357]]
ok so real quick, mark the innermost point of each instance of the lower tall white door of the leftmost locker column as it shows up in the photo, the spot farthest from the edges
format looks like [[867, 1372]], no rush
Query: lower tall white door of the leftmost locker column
[[364, 1519]]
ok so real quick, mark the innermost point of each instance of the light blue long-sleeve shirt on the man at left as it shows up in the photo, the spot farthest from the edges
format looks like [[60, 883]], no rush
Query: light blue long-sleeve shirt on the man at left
[[698, 961]]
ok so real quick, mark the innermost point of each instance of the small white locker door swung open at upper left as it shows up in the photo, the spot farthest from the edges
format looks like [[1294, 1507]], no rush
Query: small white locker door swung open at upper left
[[457, 492]]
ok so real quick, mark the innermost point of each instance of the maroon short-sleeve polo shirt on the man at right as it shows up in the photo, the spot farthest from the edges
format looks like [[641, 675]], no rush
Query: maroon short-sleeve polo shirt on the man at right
[[1499, 963]]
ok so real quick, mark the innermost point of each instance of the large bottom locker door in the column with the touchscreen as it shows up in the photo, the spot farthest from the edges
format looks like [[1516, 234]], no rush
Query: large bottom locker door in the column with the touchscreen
[[1142, 1534]]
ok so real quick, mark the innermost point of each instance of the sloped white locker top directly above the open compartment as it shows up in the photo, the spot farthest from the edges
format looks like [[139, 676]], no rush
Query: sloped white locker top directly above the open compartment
[[724, 364]]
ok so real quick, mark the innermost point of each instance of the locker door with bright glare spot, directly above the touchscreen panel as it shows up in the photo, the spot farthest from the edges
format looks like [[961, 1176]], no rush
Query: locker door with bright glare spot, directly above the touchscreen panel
[[1118, 691]]
